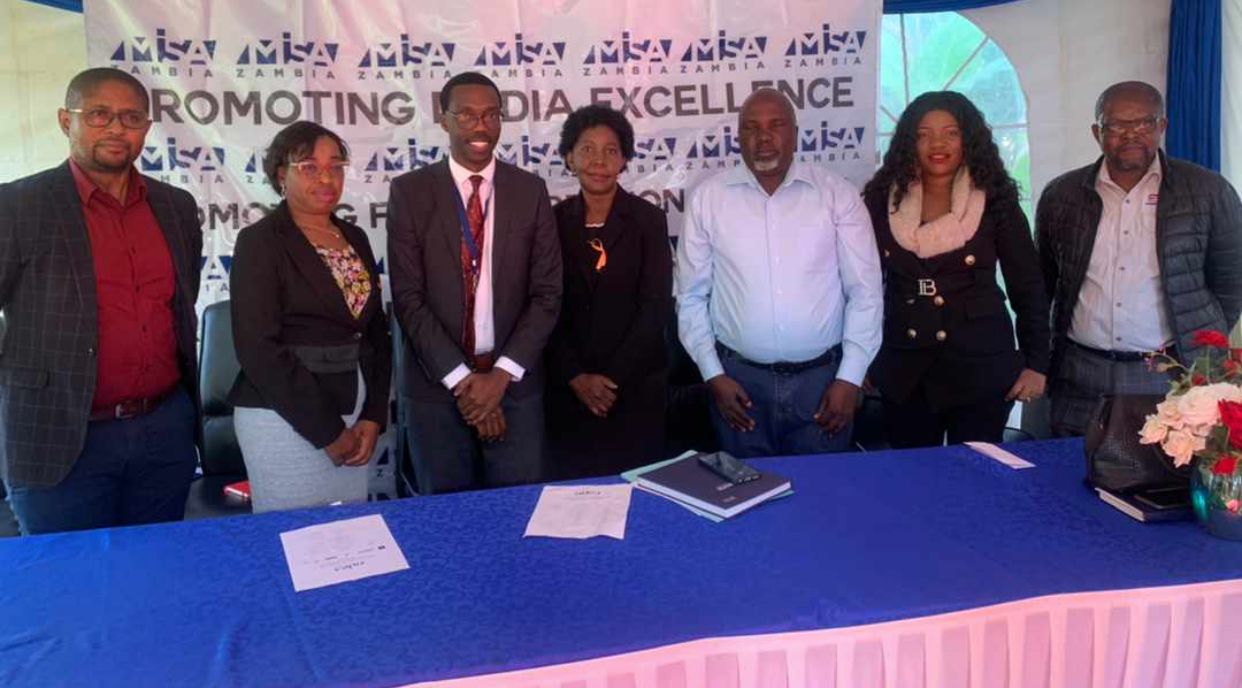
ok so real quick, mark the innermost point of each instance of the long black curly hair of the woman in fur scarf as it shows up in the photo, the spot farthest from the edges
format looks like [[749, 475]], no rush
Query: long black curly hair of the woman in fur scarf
[[979, 152]]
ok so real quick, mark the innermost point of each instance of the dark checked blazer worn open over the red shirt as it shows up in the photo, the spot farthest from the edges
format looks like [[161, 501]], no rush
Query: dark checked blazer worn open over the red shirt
[[48, 291]]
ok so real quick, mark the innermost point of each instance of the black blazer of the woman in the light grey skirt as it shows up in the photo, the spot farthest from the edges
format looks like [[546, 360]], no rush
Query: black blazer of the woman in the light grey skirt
[[284, 296]]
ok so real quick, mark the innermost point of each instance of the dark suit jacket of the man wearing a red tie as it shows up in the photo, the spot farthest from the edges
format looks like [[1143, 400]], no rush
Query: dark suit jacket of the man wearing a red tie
[[427, 275]]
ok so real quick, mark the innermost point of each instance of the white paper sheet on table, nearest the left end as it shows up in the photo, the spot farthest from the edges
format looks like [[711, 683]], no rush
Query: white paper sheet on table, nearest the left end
[[341, 552]]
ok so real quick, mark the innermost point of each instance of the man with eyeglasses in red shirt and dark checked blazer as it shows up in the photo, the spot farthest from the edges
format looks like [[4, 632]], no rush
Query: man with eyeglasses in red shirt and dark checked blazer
[[99, 278]]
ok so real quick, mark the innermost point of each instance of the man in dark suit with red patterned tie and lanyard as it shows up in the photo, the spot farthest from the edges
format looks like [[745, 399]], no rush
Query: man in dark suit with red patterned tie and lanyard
[[475, 265]]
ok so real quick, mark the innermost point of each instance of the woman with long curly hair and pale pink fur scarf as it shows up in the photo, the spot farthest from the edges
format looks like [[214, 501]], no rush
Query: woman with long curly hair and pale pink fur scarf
[[946, 213]]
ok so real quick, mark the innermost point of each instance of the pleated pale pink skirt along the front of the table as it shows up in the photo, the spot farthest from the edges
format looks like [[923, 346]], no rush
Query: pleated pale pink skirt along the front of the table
[[1169, 638]]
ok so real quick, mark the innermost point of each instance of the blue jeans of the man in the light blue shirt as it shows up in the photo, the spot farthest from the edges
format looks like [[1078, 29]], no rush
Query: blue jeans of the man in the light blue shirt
[[784, 410]]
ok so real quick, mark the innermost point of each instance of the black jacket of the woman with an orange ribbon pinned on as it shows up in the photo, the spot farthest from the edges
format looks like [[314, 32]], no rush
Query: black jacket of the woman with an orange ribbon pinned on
[[613, 324]]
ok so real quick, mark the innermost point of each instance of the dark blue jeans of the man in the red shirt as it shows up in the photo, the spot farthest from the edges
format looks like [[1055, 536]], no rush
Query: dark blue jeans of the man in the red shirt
[[130, 473]]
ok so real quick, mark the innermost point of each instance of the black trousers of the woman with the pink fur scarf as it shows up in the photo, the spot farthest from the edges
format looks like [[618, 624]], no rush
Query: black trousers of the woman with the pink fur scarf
[[915, 424]]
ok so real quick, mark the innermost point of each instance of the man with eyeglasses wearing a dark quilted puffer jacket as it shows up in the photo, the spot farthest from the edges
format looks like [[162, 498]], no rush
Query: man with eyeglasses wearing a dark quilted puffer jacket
[[1140, 251]]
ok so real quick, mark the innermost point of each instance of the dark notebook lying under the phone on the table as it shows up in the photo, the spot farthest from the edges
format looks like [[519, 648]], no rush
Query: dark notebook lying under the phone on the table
[[692, 484]]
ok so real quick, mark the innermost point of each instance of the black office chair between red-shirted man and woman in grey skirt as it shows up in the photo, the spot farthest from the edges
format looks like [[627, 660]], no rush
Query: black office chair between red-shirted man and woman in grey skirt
[[220, 459]]
